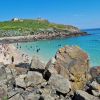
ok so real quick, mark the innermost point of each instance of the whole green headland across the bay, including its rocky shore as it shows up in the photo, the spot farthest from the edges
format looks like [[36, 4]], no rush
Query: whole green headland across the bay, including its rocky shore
[[37, 29]]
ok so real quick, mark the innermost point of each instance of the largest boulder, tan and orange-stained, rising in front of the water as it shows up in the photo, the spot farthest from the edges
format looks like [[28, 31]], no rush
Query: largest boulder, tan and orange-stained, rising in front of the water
[[72, 63]]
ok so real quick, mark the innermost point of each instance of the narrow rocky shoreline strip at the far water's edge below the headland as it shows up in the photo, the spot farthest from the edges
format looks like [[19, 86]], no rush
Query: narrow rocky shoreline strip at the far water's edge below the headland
[[38, 37]]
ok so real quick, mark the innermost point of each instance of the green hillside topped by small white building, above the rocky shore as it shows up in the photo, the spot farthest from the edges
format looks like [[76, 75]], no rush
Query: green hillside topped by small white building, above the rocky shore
[[23, 27]]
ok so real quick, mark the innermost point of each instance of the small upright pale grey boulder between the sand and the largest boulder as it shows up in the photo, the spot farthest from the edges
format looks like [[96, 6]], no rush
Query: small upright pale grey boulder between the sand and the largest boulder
[[37, 64]]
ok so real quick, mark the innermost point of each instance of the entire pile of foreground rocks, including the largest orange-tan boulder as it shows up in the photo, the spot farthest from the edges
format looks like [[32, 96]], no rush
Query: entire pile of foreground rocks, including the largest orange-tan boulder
[[65, 77]]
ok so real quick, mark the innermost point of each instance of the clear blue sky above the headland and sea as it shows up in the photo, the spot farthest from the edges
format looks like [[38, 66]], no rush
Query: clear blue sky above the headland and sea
[[80, 13]]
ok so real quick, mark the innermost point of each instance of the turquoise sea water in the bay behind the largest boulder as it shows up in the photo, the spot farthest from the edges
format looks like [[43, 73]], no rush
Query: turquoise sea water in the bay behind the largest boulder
[[48, 48]]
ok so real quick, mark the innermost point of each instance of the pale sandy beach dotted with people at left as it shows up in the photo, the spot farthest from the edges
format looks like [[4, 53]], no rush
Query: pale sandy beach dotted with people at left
[[7, 51]]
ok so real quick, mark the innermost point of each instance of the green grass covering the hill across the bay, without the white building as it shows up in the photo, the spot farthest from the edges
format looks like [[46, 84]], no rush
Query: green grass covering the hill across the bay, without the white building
[[28, 26]]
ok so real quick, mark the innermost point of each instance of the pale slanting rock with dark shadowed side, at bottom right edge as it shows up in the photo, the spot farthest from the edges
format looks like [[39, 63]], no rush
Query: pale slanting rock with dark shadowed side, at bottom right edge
[[82, 95]]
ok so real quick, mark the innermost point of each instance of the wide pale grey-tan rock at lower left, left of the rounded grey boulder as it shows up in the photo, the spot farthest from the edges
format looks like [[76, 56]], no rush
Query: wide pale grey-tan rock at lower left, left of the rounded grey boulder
[[30, 79]]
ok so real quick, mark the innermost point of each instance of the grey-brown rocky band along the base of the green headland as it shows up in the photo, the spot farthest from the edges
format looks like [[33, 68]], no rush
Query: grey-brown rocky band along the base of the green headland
[[8, 38]]
